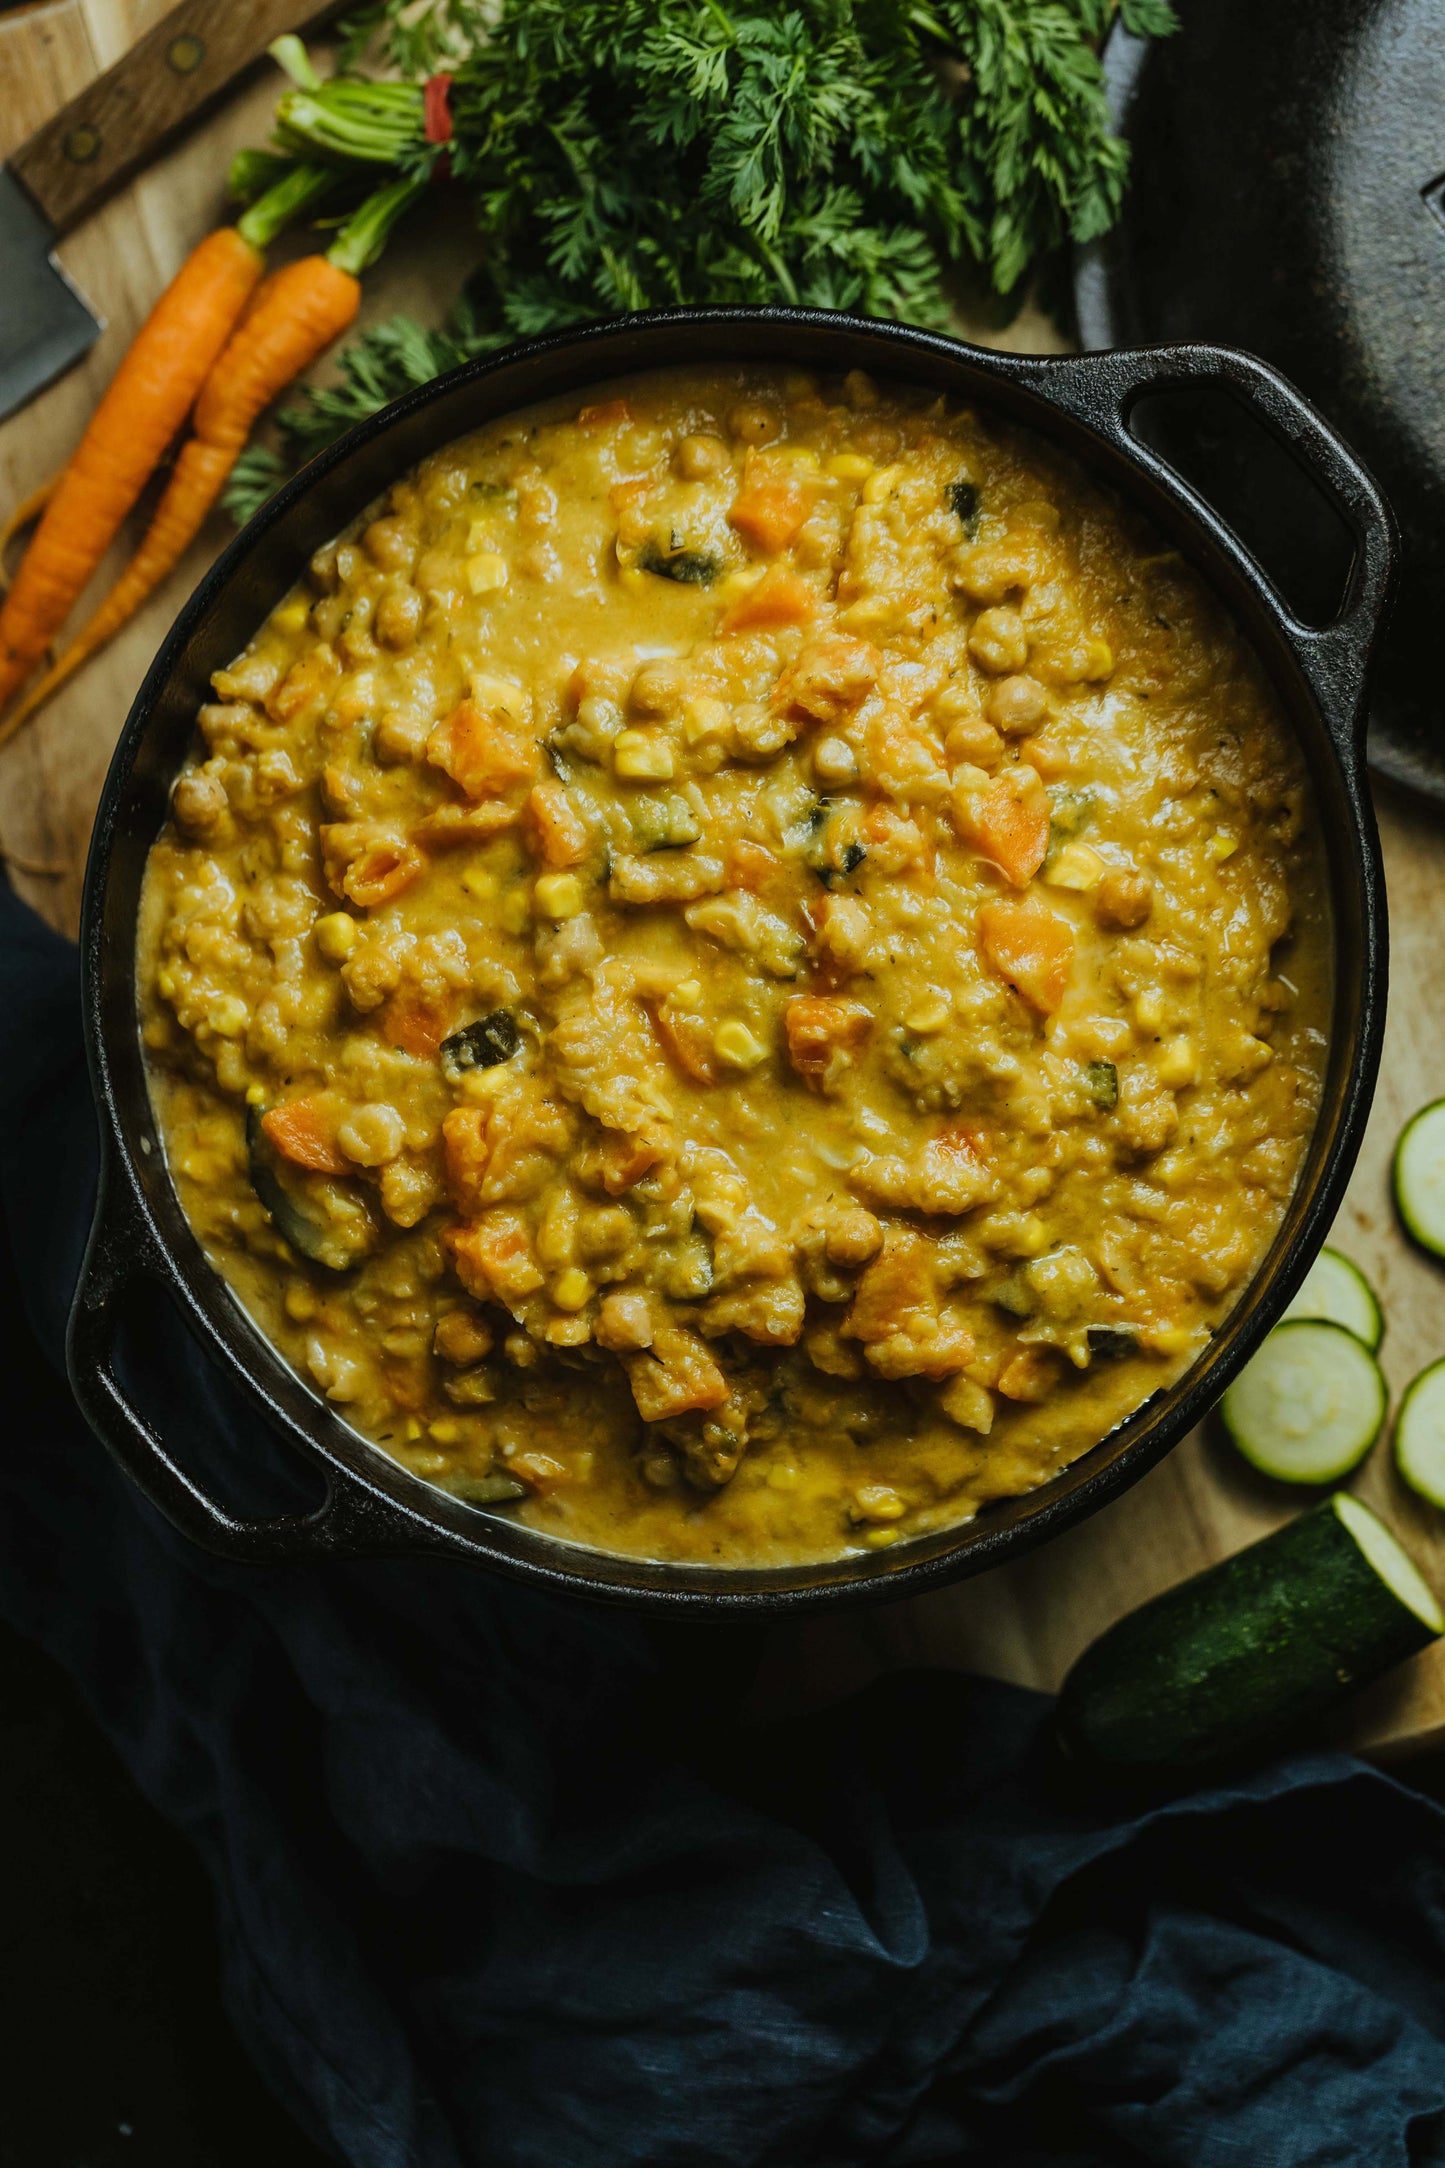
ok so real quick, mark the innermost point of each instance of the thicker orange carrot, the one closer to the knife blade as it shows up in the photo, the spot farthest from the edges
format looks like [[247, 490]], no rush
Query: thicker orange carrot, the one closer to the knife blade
[[155, 387]]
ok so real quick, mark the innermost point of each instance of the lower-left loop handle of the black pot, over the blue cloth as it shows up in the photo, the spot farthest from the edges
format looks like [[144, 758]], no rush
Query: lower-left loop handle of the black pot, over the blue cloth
[[122, 1252]]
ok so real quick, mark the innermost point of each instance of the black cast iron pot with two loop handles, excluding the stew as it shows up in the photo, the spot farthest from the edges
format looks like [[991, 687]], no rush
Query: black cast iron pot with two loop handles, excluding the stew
[[142, 1241]]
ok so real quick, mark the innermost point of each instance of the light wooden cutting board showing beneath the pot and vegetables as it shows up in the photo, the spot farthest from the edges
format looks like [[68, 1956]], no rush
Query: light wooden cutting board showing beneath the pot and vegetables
[[1024, 1623]]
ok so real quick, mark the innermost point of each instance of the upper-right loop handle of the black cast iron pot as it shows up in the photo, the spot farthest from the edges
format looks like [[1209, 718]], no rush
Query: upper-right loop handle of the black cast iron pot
[[1102, 391]]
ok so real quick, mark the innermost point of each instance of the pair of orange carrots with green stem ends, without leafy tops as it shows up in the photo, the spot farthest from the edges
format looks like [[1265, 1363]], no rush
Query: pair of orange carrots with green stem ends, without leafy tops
[[218, 348]]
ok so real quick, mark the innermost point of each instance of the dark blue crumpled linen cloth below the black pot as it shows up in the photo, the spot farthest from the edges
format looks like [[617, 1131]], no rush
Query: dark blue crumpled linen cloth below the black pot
[[504, 1881]]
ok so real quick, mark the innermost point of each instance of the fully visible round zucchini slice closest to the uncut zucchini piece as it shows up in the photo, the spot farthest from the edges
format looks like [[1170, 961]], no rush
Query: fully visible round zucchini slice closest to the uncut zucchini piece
[[1310, 1406]]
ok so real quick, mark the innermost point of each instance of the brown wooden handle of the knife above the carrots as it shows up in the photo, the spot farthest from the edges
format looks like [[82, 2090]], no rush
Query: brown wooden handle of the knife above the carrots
[[155, 90]]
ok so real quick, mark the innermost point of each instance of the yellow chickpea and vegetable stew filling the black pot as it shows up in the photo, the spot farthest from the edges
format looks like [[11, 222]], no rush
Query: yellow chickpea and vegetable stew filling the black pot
[[742, 968]]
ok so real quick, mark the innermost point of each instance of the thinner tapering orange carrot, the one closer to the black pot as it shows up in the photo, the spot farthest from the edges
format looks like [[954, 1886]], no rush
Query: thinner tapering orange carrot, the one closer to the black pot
[[294, 320]]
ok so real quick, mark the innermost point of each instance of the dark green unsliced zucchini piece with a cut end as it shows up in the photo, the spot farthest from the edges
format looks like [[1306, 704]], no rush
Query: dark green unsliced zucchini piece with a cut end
[[1249, 1651]]
